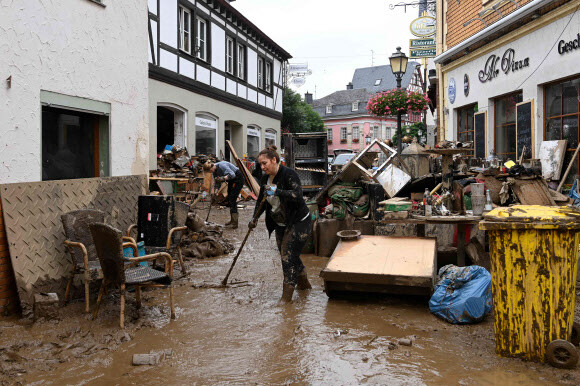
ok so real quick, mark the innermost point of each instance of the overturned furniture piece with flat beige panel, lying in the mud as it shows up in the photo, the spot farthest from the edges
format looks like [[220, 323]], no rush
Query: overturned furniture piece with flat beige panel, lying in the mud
[[401, 265]]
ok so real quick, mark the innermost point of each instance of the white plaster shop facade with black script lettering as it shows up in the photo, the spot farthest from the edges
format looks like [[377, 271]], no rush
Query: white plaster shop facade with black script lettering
[[538, 42]]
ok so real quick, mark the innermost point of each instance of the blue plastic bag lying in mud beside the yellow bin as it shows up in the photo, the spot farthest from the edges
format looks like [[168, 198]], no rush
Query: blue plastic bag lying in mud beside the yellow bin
[[462, 295]]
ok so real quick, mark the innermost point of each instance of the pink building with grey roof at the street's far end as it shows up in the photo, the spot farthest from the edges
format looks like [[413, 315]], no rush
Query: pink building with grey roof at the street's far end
[[347, 122]]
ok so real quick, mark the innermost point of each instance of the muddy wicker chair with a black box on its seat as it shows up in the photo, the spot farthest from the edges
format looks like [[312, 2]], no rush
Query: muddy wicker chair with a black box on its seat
[[173, 237]]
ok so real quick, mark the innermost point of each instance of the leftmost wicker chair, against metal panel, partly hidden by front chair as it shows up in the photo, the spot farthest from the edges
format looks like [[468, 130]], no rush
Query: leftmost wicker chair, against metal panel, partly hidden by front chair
[[79, 243]]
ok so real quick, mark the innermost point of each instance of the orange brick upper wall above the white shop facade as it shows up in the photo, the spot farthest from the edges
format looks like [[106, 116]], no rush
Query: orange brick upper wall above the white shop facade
[[459, 13]]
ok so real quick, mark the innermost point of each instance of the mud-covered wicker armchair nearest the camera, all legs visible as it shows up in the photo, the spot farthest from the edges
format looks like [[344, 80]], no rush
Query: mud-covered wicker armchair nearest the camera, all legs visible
[[117, 273]]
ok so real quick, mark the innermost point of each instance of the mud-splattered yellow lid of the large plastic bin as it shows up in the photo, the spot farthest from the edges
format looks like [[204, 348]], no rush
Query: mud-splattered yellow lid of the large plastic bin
[[531, 216]]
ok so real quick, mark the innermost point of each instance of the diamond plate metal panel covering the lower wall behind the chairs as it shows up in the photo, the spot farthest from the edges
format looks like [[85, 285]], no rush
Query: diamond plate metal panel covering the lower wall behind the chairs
[[34, 229]]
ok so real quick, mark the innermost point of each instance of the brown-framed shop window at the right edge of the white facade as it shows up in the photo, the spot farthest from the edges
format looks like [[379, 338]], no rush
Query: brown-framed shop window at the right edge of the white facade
[[562, 115]]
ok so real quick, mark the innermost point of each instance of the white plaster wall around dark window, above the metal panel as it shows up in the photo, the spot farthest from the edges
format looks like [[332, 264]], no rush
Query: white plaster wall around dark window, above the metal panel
[[94, 54]]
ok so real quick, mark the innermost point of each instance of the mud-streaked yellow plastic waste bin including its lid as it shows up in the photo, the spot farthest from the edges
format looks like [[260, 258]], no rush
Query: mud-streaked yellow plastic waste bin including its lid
[[534, 256]]
